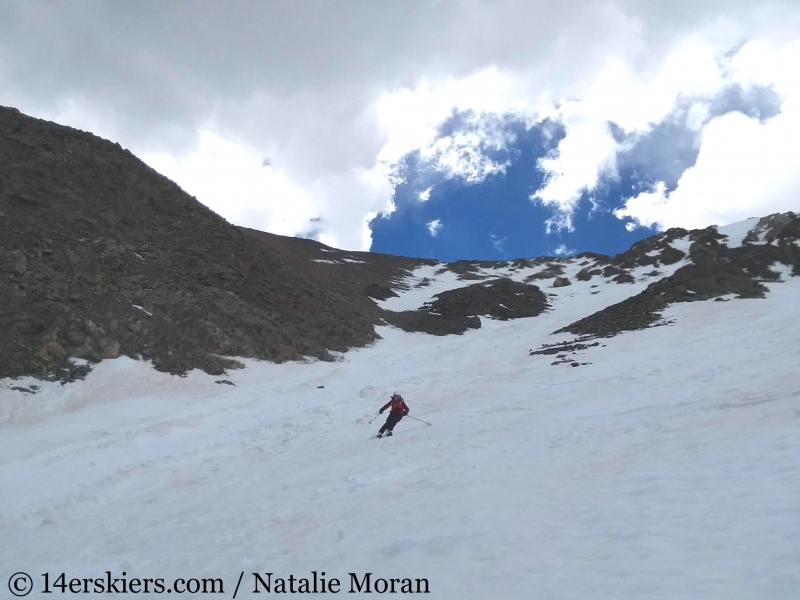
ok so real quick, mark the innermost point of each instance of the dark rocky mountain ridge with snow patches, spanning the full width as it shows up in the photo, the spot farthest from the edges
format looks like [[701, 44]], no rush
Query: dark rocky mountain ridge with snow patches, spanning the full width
[[101, 256]]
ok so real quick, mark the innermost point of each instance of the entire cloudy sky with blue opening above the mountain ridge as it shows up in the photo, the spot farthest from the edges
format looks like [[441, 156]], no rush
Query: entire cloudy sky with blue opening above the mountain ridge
[[447, 129]]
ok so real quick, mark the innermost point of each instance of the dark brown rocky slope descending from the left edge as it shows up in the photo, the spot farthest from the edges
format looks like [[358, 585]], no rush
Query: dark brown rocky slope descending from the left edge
[[102, 256]]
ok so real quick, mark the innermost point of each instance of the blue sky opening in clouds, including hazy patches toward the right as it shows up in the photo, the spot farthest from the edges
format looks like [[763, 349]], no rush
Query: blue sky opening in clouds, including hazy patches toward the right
[[491, 216]]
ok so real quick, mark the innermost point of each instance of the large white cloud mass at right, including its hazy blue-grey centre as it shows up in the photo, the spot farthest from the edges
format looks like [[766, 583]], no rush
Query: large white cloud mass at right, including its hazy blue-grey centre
[[699, 106]]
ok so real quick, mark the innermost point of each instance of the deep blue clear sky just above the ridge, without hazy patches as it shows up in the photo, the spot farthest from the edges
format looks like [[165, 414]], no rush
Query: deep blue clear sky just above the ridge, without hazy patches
[[495, 219]]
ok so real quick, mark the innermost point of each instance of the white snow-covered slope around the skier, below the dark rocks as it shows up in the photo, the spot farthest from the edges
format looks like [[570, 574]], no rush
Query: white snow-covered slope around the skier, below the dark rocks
[[668, 467]]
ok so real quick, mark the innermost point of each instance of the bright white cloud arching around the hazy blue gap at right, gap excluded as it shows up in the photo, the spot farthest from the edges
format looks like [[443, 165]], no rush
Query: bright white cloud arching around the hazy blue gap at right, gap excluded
[[744, 167]]
